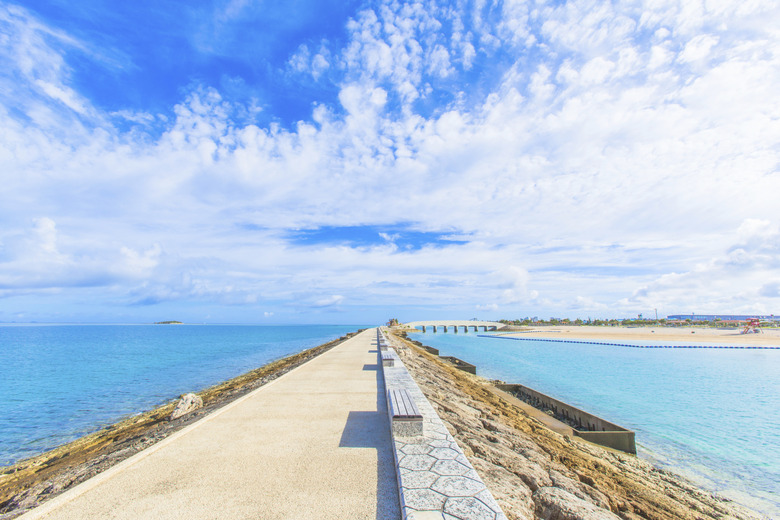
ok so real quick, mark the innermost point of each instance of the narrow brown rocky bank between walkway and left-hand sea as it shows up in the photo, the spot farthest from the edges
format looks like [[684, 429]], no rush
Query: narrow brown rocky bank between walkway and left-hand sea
[[32, 481]]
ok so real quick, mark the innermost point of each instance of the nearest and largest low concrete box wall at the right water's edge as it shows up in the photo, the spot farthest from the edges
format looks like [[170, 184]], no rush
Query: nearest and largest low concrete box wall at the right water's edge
[[586, 425]]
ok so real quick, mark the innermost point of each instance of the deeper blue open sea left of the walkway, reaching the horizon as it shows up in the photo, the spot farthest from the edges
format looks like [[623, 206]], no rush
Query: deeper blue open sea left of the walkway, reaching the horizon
[[59, 382]]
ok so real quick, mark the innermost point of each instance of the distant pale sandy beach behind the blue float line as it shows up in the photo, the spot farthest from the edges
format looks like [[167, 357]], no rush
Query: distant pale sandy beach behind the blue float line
[[768, 337]]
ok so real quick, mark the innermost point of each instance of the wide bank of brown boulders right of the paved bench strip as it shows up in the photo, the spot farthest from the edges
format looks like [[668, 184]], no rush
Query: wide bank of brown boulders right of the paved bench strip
[[535, 473]]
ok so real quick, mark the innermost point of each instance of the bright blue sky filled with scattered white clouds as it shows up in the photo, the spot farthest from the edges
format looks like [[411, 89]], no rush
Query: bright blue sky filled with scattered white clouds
[[319, 161]]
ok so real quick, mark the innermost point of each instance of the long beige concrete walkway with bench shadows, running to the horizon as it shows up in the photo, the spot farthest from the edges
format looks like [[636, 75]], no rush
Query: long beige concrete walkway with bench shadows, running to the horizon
[[314, 443]]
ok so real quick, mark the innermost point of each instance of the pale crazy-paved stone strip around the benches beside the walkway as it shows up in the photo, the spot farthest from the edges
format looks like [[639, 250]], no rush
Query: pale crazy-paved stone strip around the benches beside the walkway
[[435, 479]]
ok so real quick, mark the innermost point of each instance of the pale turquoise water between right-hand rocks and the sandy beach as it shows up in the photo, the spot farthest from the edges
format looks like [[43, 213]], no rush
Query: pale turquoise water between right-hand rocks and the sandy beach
[[710, 415]]
